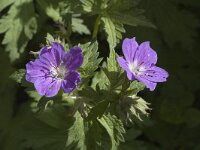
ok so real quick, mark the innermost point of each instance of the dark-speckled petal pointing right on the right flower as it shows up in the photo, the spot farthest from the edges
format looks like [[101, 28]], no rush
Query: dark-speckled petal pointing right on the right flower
[[155, 74]]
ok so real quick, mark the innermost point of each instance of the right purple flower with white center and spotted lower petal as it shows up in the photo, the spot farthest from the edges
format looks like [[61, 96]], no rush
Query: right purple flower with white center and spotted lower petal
[[139, 63]]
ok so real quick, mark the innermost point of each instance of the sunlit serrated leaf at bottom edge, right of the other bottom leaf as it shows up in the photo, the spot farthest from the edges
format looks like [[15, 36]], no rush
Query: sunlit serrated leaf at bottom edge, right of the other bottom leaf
[[114, 128]]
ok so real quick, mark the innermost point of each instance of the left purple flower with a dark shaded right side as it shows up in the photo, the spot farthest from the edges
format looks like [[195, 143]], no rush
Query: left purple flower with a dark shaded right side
[[55, 69]]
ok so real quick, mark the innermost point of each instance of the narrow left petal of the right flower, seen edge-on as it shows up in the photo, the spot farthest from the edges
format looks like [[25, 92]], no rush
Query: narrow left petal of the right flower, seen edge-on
[[124, 65]]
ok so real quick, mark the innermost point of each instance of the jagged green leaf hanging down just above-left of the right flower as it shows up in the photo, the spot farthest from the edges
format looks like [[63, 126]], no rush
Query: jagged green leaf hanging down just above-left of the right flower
[[114, 30]]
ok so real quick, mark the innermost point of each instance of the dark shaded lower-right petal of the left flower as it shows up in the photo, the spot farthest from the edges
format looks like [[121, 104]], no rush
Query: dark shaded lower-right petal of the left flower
[[70, 82]]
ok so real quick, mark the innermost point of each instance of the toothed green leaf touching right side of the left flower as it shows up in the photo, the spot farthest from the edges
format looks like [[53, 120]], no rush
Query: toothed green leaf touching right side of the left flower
[[91, 60]]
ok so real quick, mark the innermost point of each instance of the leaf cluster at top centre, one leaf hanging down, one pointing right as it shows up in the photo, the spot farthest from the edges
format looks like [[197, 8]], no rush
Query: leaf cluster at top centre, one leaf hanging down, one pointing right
[[114, 19]]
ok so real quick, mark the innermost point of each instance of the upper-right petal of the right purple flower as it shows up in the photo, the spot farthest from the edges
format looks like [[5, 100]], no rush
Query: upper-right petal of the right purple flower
[[145, 55]]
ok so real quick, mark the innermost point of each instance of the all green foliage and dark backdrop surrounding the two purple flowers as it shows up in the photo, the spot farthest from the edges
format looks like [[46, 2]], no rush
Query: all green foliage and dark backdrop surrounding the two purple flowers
[[106, 111]]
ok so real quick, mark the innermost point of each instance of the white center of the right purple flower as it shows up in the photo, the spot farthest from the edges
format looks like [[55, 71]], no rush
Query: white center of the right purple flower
[[135, 68]]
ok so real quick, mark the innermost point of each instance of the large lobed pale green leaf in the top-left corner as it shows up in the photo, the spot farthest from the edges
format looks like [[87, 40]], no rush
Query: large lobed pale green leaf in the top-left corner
[[19, 25]]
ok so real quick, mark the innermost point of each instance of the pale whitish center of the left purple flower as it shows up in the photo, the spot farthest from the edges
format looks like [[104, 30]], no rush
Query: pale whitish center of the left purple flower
[[59, 72]]
